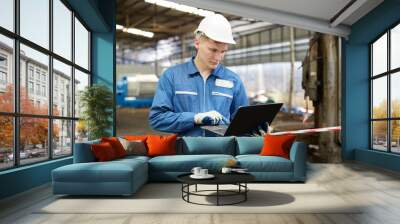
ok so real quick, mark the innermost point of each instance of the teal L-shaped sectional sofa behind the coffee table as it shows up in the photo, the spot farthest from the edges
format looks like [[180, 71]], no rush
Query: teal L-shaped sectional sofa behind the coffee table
[[125, 176]]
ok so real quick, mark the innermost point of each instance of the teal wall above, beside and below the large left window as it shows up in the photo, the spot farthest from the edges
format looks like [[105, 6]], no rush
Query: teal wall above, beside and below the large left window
[[99, 15]]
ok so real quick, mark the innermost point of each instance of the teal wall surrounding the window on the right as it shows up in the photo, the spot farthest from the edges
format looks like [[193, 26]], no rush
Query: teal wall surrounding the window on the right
[[356, 100]]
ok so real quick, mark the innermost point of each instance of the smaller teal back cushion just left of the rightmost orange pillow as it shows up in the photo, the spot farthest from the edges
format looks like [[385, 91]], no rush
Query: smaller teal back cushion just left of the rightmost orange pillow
[[249, 145]]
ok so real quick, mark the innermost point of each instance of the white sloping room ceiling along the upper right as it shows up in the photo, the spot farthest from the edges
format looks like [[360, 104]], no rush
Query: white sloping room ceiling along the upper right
[[315, 15]]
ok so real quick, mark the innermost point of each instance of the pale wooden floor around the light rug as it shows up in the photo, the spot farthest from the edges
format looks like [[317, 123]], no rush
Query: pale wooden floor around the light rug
[[379, 190]]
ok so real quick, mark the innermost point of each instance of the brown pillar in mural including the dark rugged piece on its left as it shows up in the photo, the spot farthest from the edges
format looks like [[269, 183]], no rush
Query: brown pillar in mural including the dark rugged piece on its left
[[321, 82]]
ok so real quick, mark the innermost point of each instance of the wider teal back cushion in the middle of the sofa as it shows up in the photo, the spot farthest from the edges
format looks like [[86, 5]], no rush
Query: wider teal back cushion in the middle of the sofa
[[207, 145]]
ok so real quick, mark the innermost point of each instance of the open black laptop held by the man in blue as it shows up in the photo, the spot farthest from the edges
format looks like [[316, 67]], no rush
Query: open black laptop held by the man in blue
[[246, 120]]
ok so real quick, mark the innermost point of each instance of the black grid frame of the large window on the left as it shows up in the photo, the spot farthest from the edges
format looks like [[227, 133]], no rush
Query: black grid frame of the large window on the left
[[16, 114]]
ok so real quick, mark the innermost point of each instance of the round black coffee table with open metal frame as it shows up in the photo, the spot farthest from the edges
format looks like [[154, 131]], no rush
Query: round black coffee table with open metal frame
[[238, 179]]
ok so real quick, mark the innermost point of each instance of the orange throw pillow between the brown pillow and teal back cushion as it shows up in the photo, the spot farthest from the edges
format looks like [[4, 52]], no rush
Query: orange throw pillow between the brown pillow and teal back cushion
[[161, 145]]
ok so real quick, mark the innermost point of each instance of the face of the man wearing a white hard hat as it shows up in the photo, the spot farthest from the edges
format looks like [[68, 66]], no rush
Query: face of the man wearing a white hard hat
[[210, 52]]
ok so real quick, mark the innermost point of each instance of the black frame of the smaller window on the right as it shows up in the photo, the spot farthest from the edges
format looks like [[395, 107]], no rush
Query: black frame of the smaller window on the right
[[388, 74]]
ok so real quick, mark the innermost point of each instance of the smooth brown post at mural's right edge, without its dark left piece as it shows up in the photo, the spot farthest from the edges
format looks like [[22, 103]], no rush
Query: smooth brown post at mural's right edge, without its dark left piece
[[329, 149]]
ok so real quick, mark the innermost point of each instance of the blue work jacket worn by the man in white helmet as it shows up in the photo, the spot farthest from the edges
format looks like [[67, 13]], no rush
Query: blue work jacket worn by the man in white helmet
[[182, 92]]
